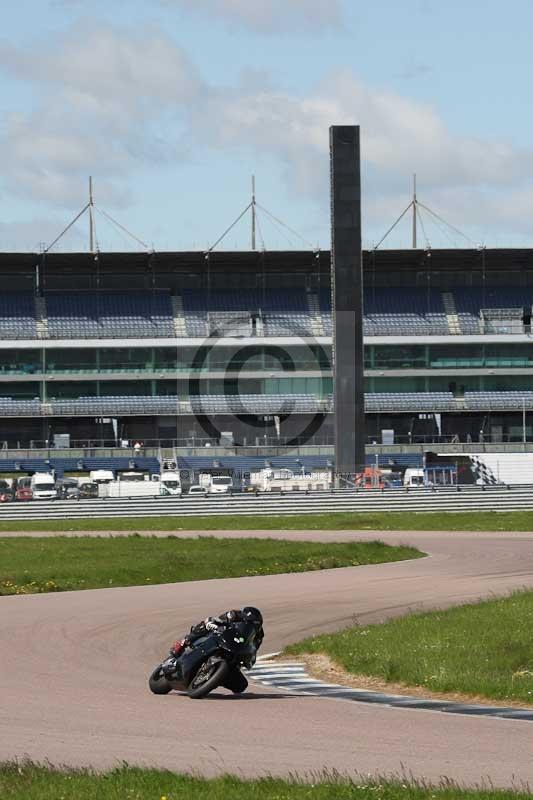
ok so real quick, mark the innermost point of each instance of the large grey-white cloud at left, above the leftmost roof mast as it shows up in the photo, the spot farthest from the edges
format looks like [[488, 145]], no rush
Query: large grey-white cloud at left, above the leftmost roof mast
[[104, 93]]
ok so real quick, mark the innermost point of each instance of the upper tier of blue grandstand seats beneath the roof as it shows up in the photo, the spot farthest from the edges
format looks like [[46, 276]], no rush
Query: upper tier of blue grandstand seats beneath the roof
[[132, 314]]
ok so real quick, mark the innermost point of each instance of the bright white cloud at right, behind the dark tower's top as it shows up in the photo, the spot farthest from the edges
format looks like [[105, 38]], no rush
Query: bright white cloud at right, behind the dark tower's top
[[398, 135]]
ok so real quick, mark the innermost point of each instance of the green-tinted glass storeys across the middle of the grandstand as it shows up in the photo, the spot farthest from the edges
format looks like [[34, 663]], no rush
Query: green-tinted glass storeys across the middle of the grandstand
[[301, 369]]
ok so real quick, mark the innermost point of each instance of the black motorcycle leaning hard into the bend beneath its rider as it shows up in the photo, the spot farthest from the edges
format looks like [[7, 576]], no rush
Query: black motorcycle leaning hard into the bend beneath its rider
[[211, 661]]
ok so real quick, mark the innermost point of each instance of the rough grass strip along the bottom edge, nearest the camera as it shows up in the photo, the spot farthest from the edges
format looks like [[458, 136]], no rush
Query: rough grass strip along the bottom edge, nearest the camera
[[30, 782]]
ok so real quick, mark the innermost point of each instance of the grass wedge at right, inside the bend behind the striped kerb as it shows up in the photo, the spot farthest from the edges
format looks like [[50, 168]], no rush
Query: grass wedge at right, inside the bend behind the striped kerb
[[483, 650]]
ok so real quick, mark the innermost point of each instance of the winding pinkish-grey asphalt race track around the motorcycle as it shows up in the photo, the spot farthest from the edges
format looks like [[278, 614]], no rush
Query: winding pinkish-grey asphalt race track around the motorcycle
[[74, 668]]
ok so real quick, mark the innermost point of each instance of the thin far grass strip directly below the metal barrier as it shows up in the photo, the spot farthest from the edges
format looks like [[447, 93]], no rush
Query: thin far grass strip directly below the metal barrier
[[380, 521]]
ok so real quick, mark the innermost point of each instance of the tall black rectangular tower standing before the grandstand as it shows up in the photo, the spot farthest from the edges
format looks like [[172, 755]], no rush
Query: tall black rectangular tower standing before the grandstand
[[347, 298]]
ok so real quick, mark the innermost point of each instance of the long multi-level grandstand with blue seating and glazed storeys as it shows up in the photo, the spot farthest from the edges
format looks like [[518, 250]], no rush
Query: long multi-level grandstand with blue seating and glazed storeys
[[183, 348]]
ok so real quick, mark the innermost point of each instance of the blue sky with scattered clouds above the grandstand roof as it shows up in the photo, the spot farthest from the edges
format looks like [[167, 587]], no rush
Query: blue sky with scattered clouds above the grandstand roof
[[172, 106]]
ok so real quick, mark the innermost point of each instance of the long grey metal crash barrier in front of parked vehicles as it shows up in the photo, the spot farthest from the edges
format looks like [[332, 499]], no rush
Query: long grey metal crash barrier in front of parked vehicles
[[470, 499]]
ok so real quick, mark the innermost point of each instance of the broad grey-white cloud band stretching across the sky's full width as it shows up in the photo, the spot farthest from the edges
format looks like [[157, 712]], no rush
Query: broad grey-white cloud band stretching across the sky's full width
[[113, 101]]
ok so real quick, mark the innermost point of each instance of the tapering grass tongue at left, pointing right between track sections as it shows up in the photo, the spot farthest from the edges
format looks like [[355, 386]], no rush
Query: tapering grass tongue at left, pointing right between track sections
[[61, 563]]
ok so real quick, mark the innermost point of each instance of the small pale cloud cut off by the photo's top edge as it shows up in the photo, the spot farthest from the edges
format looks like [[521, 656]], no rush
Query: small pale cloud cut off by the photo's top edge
[[268, 16]]
